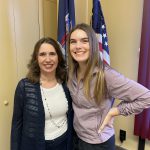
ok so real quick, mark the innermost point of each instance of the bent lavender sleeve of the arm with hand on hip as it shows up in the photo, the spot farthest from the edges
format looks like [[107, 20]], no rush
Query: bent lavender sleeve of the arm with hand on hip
[[134, 96]]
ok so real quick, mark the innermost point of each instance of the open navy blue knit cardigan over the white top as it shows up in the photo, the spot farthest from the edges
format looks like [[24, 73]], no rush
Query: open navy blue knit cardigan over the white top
[[28, 120]]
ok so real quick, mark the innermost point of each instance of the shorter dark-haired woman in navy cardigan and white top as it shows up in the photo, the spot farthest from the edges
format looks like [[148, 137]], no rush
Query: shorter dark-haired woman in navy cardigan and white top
[[42, 117]]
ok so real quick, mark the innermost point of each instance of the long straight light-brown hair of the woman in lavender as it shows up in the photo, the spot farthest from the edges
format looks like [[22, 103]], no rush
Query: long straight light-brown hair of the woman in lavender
[[93, 61]]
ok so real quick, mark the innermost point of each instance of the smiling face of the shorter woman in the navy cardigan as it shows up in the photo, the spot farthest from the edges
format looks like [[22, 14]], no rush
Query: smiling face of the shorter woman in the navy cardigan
[[47, 59]]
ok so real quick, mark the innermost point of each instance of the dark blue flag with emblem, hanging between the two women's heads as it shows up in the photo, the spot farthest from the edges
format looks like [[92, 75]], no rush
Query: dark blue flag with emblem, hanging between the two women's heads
[[66, 20]]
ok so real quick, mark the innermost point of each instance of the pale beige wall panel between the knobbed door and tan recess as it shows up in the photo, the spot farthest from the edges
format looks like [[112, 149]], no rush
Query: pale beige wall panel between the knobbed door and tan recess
[[26, 32]]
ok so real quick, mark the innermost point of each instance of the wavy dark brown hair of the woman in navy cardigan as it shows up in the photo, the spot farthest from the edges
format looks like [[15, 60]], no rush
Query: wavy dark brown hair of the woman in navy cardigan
[[34, 70]]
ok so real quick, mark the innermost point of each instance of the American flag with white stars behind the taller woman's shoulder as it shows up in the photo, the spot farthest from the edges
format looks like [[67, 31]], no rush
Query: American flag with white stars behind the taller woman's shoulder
[[98, 24]]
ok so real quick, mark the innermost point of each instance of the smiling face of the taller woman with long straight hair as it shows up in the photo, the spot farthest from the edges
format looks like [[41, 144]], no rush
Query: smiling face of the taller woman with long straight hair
[[79, 46]]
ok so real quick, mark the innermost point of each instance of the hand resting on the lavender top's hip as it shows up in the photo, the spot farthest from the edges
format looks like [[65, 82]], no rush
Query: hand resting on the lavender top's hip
[[109, 118]]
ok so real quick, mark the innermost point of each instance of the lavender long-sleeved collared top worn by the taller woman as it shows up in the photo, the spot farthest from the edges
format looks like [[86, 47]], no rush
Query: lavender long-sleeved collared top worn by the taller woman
[[88, 116]]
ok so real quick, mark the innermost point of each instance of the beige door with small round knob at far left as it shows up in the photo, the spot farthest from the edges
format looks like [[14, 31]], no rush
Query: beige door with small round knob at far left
[[7, 75]]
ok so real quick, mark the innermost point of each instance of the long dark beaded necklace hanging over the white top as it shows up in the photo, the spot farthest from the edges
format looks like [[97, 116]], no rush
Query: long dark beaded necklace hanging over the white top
[[58, 124]]
